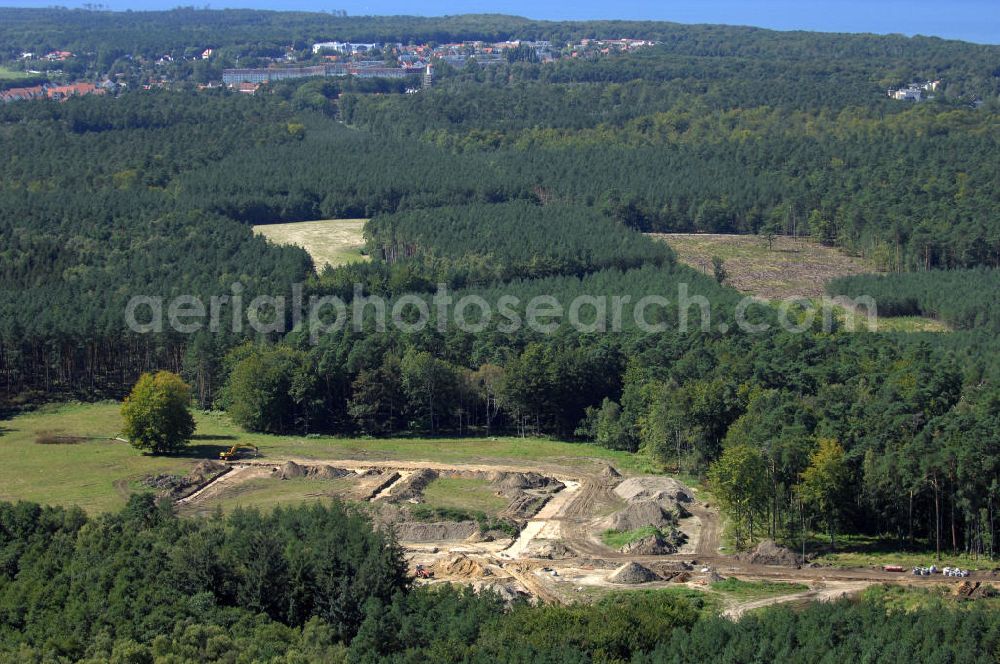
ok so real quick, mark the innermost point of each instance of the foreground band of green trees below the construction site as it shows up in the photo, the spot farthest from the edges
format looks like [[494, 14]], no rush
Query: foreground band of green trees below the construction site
[[317, 583]]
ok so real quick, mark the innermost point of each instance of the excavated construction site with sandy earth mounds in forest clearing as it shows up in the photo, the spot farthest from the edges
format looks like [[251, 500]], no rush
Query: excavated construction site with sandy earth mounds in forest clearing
[[542, 532]]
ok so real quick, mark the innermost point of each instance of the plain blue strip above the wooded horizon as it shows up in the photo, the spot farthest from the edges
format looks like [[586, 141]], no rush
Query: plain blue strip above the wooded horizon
[[970, 20]]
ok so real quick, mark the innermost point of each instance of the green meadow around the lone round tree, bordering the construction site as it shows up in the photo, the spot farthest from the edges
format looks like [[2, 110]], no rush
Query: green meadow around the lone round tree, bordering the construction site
[[99, 474]]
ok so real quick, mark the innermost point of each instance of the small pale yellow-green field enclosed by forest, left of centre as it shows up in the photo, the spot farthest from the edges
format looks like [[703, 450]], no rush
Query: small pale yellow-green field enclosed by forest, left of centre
[[330, 242]]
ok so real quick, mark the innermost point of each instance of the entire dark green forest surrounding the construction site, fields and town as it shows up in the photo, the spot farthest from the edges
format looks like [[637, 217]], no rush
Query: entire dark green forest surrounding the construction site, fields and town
[[527, 179]]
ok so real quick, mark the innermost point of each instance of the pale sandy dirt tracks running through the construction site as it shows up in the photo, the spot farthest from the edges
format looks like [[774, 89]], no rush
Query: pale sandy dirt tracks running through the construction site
[[571, 521]]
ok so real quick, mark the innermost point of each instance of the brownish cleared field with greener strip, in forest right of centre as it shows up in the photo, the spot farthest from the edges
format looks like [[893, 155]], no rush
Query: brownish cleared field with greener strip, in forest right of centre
[[792, 267]]
